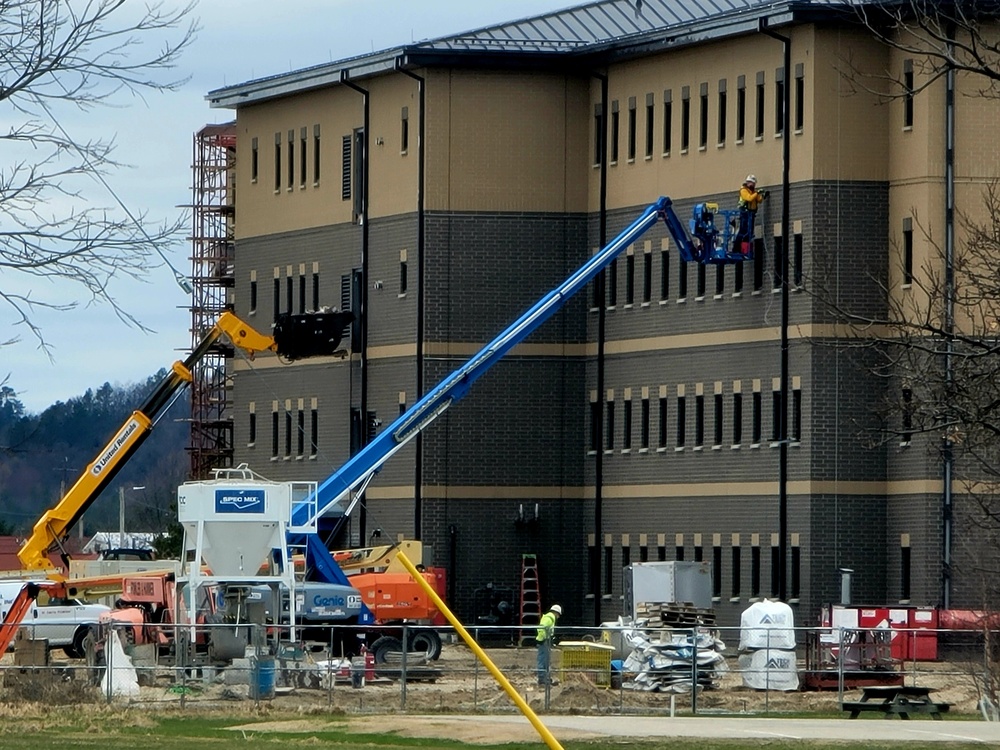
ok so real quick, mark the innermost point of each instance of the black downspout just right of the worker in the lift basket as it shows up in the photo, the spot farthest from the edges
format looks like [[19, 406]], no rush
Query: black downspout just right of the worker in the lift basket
[[786, 139]]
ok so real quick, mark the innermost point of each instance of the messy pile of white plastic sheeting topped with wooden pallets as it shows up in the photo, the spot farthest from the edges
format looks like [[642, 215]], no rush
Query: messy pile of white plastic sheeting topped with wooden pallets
[[670, 647]]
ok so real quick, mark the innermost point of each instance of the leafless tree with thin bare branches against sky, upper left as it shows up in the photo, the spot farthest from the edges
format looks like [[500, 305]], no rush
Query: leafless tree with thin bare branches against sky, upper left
[[59, 56]]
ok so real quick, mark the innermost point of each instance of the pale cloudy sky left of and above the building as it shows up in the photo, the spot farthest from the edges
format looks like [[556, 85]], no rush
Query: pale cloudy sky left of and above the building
[[240, 40]]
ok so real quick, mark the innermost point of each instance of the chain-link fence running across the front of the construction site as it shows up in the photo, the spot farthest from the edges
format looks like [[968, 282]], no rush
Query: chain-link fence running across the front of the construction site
[[622, 670]]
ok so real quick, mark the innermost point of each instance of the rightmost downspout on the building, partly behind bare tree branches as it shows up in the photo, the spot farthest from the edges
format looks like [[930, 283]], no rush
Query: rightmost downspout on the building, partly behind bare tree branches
[[949, 321]]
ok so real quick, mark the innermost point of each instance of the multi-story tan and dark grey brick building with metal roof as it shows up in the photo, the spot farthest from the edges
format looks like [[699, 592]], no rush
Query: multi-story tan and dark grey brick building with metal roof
[[440, 188]]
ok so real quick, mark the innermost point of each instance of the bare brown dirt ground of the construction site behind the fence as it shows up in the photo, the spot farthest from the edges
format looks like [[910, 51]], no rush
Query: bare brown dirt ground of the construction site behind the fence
[[458, 683]]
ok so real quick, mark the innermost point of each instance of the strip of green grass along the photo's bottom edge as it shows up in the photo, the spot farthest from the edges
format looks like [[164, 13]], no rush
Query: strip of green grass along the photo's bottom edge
[[131, 729]]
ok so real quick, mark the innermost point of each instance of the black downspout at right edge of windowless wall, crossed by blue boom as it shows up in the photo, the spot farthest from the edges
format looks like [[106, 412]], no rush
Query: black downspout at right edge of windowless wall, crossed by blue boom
[[600, 295]]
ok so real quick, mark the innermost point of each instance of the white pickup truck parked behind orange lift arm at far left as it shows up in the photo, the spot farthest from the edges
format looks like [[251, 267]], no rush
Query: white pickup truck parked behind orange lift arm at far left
[[63, 622]]
